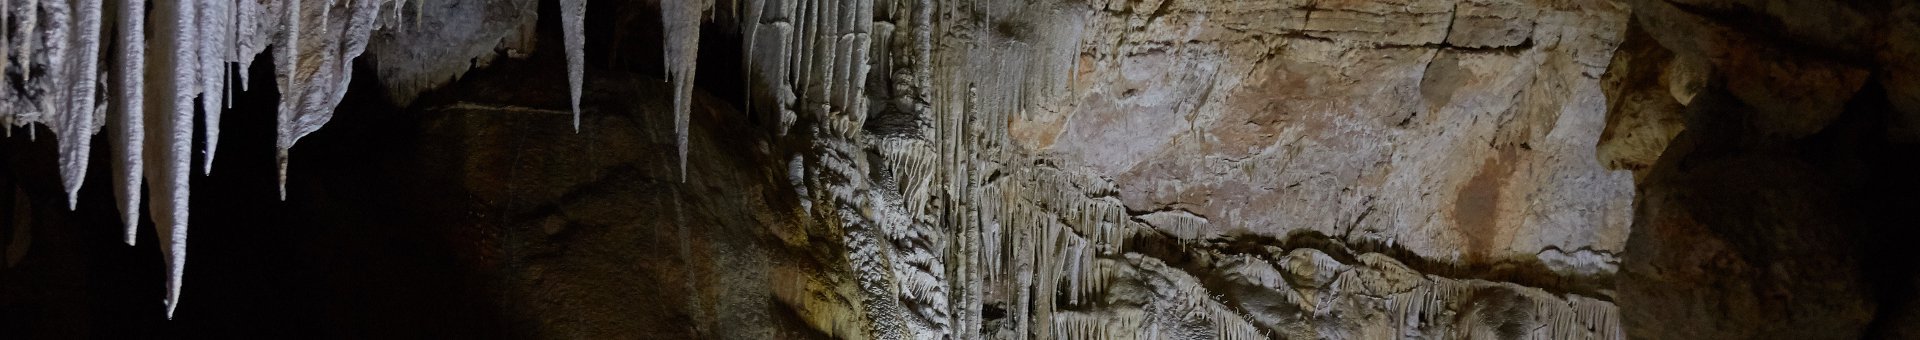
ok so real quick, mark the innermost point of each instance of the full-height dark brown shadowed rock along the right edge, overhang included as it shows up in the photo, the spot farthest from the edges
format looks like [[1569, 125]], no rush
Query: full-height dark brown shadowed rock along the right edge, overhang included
[[1773, 214]]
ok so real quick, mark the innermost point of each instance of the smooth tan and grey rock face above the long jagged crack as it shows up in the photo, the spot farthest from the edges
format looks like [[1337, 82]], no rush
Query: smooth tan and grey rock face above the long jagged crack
[[1349, 126]]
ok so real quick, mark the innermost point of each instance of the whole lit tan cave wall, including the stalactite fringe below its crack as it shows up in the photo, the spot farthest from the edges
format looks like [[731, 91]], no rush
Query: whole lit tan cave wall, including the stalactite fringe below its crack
[[1270, 151]]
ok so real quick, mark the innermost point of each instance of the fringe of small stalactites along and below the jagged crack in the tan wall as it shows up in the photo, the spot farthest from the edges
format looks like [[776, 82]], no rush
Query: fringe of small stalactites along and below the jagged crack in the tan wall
[[1051, 237]]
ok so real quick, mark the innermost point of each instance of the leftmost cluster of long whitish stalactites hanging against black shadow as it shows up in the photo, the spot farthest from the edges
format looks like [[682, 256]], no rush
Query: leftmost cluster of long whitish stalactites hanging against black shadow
[[147, 101]]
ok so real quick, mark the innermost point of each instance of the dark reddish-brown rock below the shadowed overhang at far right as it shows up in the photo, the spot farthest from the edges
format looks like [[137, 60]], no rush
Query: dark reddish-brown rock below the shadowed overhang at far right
[[1748, 243]]
